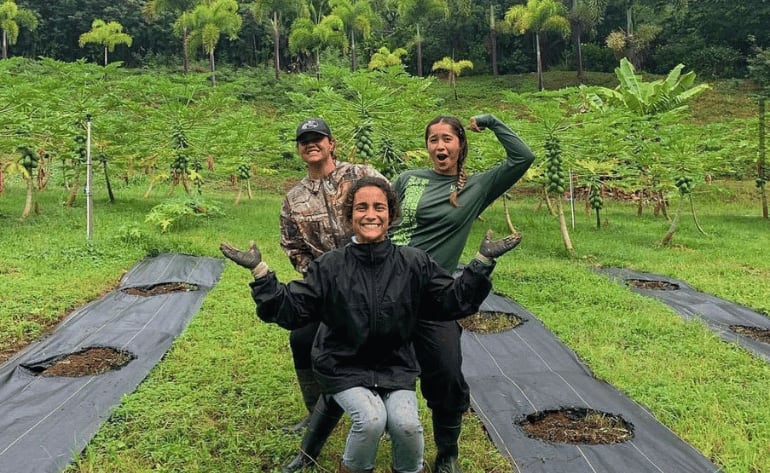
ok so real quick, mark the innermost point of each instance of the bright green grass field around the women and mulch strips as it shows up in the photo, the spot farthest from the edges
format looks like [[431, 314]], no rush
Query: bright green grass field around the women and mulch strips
[[217, 400]]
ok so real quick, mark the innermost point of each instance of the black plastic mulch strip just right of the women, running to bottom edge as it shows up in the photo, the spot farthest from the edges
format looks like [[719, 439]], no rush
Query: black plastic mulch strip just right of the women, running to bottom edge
[[527, 370]]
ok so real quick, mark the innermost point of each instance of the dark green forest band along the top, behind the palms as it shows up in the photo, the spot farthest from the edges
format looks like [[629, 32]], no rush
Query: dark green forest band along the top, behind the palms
[[713, 37]]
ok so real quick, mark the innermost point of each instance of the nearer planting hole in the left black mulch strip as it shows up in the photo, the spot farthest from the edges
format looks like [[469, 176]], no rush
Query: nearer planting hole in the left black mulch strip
[[87, 362]]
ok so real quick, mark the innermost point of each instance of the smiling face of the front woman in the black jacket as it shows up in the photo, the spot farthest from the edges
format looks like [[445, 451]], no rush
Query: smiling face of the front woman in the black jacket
[[370, 214]]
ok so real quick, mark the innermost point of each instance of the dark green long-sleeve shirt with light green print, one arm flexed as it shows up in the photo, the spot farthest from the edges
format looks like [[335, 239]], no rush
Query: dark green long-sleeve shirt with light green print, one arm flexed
[[428, 219]]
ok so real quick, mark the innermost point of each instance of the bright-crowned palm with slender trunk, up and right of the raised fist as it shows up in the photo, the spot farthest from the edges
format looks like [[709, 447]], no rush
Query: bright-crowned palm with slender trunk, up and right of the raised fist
[[538, 17]]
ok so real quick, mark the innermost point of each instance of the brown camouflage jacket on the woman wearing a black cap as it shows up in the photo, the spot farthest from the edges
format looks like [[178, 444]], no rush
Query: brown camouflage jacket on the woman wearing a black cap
[[311, 214]]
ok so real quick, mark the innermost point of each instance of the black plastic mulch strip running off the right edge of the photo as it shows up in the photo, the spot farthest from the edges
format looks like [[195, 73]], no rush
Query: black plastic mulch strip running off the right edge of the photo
[[718, 314]]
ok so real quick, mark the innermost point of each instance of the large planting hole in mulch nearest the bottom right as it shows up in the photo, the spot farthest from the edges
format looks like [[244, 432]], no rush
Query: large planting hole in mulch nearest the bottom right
[[577, 426]]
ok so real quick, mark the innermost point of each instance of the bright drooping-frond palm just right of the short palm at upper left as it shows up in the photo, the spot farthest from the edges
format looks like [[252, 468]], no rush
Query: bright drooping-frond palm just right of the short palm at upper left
[[208, 21]]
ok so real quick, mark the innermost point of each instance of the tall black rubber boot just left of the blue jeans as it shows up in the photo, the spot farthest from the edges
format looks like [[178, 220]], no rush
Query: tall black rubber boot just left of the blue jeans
[[326, 415]]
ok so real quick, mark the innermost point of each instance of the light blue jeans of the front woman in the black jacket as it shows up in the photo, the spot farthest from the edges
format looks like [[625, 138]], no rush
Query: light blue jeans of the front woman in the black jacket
[[371, 413]]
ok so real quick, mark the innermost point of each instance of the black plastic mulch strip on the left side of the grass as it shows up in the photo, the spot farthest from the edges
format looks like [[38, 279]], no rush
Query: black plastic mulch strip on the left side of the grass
[[45, 421]]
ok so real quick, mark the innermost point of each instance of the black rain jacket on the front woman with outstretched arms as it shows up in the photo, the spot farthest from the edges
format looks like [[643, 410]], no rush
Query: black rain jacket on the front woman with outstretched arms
[[368, 298]]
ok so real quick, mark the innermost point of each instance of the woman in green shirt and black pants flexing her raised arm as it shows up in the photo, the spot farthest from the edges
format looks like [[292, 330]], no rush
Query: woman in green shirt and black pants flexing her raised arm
[[438, 208]]
